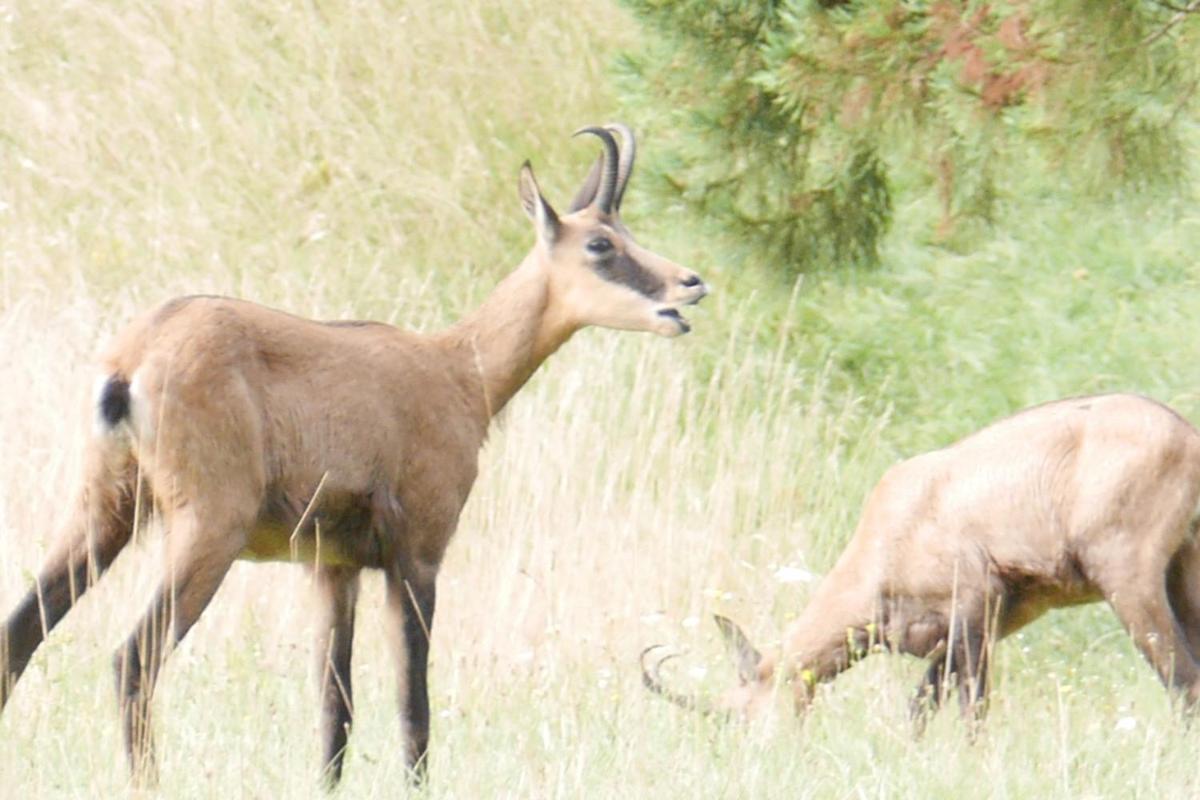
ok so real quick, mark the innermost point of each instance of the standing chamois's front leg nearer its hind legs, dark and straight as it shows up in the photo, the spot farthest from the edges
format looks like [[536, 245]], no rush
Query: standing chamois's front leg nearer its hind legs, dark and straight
[[339, 590]]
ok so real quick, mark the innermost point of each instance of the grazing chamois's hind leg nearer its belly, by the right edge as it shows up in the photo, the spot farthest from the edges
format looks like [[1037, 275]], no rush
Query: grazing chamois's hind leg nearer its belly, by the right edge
[[1142, 604]]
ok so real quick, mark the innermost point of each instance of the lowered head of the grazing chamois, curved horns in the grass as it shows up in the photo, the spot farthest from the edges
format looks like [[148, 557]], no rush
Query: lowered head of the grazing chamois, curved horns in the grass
[[751, 700]]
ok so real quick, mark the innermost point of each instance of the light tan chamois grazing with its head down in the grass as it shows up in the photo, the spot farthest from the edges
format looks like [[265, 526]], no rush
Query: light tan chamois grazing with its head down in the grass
[[1069, 503]]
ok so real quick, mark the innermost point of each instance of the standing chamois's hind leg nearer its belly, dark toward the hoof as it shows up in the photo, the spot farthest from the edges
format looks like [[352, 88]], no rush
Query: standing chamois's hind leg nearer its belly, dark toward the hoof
[[202, 546]]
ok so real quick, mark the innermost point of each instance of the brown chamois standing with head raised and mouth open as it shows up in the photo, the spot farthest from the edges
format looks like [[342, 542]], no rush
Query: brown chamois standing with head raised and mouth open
[[344, 446]]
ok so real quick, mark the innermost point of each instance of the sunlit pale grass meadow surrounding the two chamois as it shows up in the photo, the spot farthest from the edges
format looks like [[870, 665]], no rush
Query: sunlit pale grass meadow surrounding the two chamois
[[359, 160]]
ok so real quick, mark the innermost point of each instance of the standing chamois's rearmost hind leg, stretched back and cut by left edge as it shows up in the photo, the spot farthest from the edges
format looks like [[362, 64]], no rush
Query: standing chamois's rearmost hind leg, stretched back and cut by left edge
[[99, 526]]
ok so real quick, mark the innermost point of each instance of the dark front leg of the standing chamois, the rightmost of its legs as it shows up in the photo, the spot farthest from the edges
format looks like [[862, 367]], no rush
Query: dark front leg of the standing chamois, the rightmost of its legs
[[411, 601]]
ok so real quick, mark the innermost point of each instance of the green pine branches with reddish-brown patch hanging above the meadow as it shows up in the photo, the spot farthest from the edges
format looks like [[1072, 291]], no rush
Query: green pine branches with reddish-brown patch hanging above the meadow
[[796, 123]]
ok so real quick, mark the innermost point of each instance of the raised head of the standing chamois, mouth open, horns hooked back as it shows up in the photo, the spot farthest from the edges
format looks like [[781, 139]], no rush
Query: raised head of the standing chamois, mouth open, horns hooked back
[[598, 275]]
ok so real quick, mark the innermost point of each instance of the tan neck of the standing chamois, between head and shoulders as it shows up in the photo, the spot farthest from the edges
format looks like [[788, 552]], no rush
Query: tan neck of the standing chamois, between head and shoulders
[[507, 339]]
